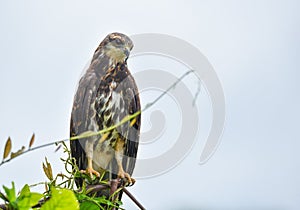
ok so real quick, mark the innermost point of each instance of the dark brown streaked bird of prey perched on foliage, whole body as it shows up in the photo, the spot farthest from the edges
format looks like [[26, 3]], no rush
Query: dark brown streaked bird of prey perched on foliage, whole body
[[106, 94]]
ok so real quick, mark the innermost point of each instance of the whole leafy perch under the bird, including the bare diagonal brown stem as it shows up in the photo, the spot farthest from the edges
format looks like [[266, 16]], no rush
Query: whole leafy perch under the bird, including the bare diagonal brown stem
[[61, 191]]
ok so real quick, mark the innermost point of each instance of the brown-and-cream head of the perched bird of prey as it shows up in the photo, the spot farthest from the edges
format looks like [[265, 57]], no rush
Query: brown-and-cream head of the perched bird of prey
[[117, 46]]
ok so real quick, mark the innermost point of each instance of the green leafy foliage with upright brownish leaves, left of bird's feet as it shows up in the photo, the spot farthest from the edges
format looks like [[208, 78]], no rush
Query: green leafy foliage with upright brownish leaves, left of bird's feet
[[60, 190]]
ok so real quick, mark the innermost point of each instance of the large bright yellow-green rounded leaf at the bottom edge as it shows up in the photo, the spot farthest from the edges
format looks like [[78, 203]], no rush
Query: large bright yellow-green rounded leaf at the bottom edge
[[61, 199]]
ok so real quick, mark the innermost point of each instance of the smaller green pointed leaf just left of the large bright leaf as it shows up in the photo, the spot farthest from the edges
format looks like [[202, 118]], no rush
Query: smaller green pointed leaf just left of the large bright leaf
[[27, 199]]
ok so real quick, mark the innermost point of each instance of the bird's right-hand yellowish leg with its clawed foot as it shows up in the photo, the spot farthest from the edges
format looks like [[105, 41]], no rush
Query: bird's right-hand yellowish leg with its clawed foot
[[119, 158]]
